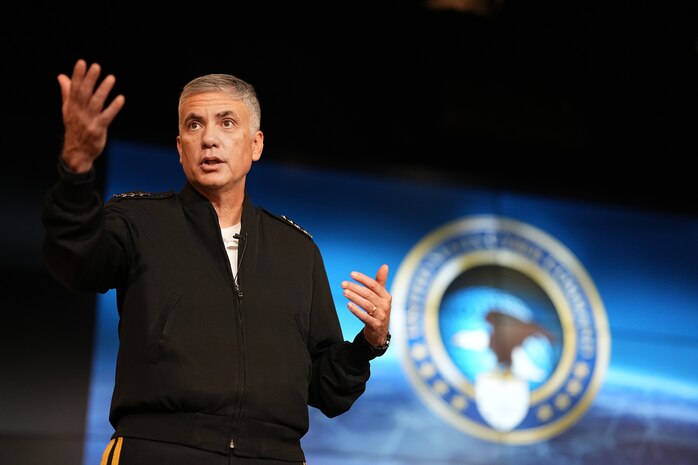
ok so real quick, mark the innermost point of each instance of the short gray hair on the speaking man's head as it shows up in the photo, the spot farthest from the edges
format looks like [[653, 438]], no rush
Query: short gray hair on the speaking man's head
[[227, 84]]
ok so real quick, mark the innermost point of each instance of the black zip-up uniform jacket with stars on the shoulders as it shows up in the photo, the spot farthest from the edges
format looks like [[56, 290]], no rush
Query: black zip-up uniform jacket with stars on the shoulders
[[201, 361]]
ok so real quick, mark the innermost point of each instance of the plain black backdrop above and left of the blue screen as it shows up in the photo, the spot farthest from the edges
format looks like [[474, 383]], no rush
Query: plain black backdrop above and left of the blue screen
[[592, 102]]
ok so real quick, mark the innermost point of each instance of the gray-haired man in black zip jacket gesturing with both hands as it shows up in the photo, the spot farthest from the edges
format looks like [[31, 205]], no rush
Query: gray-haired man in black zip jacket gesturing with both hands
[[228, 329]]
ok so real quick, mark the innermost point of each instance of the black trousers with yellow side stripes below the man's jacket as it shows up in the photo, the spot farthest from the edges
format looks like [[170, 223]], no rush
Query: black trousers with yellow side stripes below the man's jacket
[[133, 451]]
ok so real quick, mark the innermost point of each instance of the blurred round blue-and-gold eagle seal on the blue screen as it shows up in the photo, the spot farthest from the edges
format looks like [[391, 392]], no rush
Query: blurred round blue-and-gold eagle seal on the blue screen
[[501, 330]]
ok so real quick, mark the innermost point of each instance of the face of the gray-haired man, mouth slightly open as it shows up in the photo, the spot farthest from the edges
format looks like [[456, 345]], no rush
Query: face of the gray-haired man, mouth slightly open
[[215, 145]]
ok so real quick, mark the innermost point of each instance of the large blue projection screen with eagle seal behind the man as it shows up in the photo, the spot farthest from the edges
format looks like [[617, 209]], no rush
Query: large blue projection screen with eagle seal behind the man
[[423, 403]]
